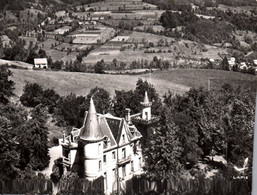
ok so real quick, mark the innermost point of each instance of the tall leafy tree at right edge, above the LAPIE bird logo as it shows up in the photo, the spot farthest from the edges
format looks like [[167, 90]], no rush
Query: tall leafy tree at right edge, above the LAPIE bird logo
[[238, 122]]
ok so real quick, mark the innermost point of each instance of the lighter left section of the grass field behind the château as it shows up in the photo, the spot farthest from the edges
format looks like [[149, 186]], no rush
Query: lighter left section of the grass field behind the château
[[81, 83]]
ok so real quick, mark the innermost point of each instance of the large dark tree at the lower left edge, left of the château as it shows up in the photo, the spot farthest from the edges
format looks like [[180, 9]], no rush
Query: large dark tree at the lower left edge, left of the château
[[12, 162]]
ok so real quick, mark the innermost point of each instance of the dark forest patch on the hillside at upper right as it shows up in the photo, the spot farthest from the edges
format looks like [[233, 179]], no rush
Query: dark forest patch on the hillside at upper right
[[206, 30]]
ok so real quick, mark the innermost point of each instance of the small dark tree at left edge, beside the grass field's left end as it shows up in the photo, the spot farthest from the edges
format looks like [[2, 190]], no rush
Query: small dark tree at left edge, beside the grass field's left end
[[6, 85]]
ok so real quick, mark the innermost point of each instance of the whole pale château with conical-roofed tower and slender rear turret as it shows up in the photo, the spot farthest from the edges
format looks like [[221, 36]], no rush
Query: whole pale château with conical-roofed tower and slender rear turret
[[106, 146]]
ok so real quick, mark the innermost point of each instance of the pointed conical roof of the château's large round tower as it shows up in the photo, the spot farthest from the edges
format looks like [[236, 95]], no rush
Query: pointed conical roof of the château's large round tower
[[91, 129]]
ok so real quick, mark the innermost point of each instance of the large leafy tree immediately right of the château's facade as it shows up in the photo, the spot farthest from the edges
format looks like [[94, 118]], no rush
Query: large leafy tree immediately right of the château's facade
[[163, 151]]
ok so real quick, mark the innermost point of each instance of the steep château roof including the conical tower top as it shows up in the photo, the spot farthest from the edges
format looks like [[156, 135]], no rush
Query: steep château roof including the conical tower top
[[107, 128]]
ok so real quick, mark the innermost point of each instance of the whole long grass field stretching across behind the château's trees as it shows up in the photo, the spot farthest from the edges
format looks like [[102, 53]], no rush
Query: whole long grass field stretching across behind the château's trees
[[178, 80]]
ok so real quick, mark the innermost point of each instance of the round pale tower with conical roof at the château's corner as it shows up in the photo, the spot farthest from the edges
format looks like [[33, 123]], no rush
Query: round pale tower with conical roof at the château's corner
[[91, 144]]
